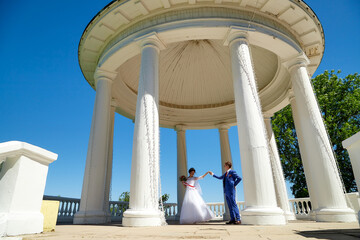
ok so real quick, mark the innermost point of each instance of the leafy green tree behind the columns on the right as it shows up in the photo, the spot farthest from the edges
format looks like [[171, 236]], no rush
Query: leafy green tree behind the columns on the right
[[339, 101]]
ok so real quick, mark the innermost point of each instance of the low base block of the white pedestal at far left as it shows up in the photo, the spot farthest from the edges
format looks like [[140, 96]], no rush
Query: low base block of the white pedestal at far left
[[12, 224]]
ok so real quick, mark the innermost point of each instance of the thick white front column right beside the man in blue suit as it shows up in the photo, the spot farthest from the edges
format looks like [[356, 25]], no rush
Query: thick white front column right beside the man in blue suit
[[260, 201]]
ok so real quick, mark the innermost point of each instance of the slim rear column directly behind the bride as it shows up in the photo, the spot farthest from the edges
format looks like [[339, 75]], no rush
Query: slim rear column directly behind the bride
[[181, 165]]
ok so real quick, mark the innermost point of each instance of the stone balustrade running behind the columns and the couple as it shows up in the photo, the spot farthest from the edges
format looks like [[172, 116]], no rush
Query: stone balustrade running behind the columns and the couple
[[300, 206]]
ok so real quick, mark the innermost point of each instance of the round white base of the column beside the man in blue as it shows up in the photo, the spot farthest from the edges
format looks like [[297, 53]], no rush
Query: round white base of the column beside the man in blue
[[263, 216]]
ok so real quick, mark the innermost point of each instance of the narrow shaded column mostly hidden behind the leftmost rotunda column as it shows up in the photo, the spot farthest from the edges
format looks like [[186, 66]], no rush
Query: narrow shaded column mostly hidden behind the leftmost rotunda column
[[109, 163]]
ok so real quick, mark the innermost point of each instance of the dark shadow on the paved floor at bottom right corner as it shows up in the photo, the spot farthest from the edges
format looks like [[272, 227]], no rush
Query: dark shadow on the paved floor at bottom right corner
[[332, 234]]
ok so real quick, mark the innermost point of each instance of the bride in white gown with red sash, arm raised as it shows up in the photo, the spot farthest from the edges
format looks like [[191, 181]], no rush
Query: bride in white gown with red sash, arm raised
[[194, 209]]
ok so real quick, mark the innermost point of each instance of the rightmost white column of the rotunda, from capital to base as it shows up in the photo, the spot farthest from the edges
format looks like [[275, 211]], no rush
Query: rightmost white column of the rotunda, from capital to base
[[325, 178]]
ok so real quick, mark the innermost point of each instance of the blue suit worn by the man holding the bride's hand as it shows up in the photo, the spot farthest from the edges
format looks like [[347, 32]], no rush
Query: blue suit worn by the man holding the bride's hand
[[230, 181]]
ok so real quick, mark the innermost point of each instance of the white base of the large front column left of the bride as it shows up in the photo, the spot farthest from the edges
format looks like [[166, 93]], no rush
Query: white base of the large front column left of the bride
[[141, 218]]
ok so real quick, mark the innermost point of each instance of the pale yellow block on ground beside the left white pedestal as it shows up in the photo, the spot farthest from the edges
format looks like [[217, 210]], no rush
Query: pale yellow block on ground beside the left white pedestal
[[50, 211]]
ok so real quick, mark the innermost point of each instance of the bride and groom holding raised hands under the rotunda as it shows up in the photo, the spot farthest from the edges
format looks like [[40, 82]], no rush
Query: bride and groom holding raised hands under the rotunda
[[194, 209]]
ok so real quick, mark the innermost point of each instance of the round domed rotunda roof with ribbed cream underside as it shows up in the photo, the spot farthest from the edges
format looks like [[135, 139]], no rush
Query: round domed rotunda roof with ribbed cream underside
[[195, 70]]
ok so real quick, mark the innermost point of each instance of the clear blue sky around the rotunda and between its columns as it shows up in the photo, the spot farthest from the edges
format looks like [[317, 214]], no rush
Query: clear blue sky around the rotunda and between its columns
[[45, 100]]
